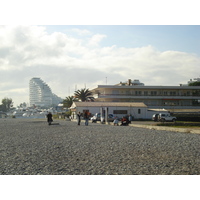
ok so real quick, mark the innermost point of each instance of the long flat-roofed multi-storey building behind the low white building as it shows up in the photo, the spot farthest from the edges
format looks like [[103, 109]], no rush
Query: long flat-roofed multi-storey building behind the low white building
[[182, 96]]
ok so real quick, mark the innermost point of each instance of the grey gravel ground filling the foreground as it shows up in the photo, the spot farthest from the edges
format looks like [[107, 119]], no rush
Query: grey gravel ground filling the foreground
[[32, 147]]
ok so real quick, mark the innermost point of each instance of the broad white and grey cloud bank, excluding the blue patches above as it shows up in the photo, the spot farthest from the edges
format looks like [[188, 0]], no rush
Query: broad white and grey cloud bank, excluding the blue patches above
[[66, 63]]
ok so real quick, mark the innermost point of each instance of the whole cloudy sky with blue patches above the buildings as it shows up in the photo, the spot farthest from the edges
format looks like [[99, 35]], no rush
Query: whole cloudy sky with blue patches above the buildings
[[71, 57]]
